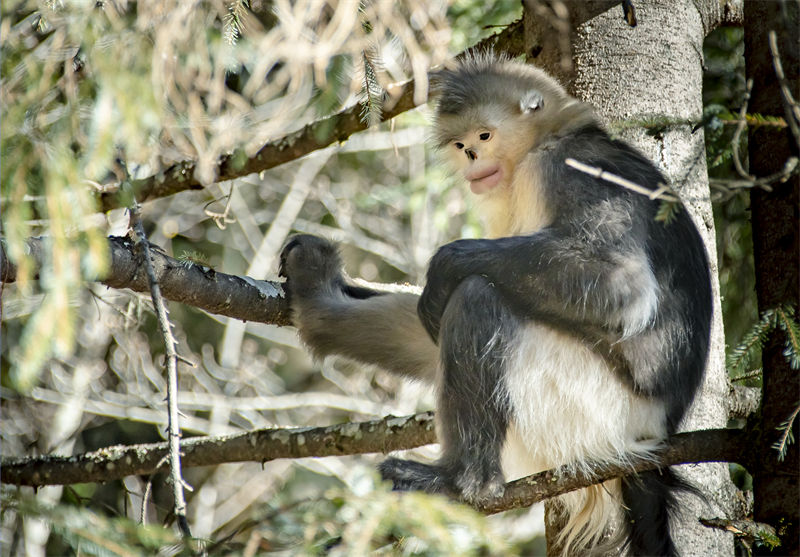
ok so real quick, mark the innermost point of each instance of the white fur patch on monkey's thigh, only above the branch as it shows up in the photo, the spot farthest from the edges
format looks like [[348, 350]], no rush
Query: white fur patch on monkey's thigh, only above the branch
[[569, 406]]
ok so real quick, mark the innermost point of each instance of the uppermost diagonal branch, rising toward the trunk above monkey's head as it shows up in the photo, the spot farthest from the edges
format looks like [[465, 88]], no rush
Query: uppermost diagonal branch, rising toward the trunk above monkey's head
[[181, 176]]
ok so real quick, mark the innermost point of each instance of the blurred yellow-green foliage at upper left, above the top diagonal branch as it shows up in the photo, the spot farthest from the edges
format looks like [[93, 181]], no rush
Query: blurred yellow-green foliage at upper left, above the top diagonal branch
[[93, 92]]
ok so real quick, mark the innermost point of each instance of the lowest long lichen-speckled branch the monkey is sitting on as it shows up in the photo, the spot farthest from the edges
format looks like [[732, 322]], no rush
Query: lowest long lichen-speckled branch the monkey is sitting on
[[385, 435]]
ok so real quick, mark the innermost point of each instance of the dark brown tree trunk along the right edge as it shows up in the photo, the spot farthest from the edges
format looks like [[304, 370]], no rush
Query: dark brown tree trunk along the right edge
[[776, 247]]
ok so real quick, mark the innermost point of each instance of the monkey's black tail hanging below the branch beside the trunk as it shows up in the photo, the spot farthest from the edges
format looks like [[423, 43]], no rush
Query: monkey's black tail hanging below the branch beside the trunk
[[650, 500]]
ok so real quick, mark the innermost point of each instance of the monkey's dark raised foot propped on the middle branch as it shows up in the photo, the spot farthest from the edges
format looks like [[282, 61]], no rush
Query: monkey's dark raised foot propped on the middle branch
[[311, 266]]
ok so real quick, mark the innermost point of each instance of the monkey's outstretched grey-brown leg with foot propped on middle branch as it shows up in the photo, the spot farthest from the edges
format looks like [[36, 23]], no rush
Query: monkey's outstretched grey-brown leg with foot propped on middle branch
[[335, 317]]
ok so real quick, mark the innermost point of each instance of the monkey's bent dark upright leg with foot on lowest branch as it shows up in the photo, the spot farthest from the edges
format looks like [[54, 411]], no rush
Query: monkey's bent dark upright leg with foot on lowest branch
[[473, 406]]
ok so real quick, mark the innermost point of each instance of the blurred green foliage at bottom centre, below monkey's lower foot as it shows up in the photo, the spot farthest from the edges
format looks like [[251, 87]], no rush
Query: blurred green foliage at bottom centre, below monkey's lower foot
[[377, 521]]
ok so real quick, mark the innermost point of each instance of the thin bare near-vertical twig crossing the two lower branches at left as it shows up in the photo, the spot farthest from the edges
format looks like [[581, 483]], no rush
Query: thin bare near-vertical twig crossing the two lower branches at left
[[173, 424]]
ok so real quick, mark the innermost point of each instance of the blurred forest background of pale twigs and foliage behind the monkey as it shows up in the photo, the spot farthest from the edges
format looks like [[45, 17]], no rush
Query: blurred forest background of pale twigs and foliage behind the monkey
[[85, 86]]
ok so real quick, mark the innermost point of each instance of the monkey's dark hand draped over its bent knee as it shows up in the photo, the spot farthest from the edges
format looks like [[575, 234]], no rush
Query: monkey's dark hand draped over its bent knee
[[447, 269]]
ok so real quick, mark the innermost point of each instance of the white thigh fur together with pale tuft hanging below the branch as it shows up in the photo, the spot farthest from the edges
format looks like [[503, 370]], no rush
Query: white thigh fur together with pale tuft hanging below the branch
[[569, 408]]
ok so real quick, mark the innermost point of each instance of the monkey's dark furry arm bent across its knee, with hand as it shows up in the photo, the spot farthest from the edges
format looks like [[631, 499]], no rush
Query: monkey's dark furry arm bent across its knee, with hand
[[556, 275]]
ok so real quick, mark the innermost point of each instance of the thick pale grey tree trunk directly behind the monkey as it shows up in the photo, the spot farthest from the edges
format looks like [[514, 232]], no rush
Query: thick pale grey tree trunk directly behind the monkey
[[638, 74]]
